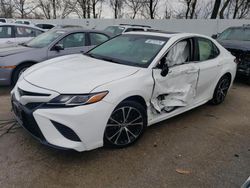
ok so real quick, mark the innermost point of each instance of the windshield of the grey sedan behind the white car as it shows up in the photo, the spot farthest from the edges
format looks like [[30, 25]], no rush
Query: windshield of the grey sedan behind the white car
[[44, 39]]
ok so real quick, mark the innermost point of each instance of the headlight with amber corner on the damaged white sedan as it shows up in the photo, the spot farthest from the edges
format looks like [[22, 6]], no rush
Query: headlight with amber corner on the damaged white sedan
[[76, 100]]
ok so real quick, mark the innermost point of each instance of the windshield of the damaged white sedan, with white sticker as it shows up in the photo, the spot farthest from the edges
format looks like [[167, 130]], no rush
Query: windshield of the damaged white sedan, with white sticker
[[134, 50]]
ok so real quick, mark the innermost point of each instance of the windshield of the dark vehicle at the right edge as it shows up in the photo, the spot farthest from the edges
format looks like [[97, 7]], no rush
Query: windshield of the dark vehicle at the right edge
[[235, 34]]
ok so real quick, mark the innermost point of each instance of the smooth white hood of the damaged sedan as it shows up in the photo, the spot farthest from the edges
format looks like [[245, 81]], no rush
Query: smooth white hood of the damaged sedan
[[75, 74]]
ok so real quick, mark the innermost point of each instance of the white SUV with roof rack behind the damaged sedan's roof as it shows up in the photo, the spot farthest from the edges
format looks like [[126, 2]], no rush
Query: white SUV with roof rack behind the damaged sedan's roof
[[123, 28]]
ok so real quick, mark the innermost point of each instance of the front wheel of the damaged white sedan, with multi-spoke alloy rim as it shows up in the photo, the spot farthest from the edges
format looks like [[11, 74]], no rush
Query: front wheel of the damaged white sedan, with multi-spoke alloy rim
[[126, 125]]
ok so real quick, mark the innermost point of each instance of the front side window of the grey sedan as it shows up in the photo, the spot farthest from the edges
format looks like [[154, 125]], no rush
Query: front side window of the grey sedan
[[73, 40]]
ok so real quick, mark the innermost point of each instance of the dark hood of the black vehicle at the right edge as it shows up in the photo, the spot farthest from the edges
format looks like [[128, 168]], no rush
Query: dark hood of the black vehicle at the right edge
[[235, 44]]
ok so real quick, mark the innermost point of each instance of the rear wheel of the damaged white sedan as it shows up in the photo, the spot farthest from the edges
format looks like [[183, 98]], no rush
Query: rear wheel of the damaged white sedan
[[221, 90]]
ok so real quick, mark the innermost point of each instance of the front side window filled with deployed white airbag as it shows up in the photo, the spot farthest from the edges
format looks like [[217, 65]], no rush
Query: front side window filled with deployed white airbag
[[179, 54]]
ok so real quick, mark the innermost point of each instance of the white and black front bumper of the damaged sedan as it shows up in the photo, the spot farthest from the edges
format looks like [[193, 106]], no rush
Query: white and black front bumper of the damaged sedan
[[86, 122]]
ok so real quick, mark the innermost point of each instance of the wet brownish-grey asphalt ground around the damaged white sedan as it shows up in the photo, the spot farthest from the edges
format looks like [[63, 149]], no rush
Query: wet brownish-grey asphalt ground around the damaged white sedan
[[206, 147]]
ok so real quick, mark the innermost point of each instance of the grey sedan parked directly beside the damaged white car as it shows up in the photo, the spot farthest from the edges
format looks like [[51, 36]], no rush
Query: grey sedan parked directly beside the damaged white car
[[54, 43]]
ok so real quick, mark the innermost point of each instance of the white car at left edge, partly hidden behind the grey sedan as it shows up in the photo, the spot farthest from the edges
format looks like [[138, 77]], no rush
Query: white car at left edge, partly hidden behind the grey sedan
[[12, 34]]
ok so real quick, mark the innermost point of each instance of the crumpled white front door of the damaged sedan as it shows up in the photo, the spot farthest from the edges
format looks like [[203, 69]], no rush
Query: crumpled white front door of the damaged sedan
[[177, 89]]
